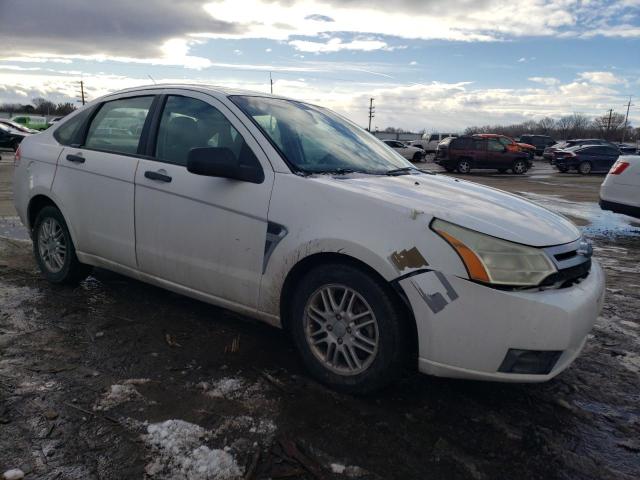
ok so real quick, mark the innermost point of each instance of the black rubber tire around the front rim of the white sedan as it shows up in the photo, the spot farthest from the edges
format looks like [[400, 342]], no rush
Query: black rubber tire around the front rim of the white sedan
[[392, 350]]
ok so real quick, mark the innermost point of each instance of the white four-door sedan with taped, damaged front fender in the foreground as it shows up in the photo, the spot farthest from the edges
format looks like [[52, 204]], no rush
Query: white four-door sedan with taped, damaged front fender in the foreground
[[288, 213]]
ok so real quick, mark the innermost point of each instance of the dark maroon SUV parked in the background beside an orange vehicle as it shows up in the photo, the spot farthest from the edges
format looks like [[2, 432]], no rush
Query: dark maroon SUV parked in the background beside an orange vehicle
[[463, 154]]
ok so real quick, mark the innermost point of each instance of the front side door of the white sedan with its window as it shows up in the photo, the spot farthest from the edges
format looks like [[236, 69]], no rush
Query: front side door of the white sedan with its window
[[201, 232]]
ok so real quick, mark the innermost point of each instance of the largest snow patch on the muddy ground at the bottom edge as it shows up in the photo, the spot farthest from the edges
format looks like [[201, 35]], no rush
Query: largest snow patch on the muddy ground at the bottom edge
[[179, 453]]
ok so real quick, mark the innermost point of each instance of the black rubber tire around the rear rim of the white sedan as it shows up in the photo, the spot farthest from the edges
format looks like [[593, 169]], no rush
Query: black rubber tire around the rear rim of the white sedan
[[71, 271]]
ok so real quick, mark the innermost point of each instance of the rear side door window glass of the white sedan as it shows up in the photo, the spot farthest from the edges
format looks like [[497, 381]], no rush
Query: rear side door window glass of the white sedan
[[117, 126]]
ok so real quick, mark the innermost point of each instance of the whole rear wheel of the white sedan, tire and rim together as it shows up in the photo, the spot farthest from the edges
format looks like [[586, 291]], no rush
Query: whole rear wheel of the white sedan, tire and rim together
[[54, 250]]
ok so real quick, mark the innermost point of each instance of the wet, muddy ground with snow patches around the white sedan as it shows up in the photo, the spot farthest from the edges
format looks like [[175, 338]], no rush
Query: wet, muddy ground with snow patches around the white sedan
[[117, 379]]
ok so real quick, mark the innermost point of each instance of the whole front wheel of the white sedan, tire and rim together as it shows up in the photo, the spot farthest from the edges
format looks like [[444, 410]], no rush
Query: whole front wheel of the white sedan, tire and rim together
[[359, 366]]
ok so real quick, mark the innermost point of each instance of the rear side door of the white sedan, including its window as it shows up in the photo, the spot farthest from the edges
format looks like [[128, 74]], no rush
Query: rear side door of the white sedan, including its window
[[95, 179]]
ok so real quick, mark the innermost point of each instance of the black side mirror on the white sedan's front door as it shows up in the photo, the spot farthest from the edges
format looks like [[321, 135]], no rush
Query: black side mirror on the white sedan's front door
[[221, 162]]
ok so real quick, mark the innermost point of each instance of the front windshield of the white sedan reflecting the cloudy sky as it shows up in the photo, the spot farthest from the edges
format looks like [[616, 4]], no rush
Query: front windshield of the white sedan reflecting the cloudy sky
[[314, 140]]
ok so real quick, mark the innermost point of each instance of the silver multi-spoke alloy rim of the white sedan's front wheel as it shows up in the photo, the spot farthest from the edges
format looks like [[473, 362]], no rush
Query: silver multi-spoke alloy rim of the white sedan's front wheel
[[341, 329]]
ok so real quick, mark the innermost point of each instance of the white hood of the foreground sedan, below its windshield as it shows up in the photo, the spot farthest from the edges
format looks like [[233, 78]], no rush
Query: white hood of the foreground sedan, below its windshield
[[464, 203]]
